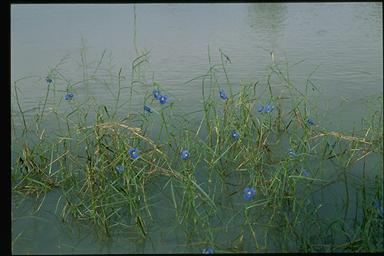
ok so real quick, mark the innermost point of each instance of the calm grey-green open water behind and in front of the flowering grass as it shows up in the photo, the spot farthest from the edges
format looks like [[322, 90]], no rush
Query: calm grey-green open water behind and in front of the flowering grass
[[343, 41]]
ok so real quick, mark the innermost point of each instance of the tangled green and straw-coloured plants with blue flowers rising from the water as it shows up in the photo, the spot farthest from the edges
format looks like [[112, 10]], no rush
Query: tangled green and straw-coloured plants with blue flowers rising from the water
[[115, 194]]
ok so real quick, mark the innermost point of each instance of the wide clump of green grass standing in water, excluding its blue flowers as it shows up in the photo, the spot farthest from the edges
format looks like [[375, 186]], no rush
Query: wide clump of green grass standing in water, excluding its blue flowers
[[322, 197]]
